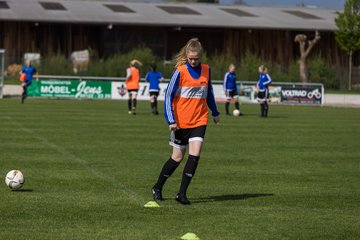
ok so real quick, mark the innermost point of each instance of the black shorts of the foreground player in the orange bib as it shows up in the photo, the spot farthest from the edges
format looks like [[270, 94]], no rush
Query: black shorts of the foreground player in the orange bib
[[181, 137]]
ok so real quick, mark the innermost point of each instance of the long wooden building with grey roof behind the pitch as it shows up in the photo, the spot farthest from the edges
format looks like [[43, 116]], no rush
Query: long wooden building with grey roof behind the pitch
[[112, 27]]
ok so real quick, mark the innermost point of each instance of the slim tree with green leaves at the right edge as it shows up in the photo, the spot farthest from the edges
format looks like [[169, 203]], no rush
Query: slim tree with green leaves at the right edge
[[348, 33]]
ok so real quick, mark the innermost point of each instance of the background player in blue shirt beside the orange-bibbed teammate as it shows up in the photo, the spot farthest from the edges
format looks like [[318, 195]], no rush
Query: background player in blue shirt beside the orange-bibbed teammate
[[154, 78]]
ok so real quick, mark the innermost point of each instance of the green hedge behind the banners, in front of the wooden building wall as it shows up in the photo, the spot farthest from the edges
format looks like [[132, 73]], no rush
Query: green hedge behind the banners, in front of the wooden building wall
[[247, 67]]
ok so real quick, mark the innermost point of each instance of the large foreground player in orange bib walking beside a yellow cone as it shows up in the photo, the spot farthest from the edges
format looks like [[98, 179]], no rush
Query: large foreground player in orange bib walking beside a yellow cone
[[187, 98]]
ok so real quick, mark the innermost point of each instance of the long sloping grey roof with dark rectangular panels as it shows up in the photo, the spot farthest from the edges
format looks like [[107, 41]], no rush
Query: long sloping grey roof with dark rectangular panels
[[172, 15]]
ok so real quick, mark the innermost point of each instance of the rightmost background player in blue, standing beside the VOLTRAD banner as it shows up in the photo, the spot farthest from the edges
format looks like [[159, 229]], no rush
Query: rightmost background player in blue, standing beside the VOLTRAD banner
[[263, 90]]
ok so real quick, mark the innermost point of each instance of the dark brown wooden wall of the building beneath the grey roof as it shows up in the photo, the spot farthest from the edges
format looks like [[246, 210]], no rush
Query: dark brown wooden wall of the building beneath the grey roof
[[59, 38]]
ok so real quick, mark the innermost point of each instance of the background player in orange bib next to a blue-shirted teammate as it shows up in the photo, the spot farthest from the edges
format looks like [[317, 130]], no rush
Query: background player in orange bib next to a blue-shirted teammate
[[132, 84]]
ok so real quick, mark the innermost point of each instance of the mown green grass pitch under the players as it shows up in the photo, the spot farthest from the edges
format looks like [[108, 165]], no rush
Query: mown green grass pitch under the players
[[89, 167]]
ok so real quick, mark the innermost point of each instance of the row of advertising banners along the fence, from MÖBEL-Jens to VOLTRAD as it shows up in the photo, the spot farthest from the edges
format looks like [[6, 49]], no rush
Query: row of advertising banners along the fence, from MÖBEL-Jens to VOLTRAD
[[113, 88]]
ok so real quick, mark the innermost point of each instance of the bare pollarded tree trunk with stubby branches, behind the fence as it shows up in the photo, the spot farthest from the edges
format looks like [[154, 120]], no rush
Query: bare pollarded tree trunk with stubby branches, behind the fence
[[304, 53]]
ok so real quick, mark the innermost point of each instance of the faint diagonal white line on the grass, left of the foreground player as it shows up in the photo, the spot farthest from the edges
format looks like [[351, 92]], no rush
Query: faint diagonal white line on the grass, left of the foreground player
[[107, 178]]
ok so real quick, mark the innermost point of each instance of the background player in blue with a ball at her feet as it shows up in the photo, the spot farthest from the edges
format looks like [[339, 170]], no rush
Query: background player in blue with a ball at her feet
[[230, 89]]
